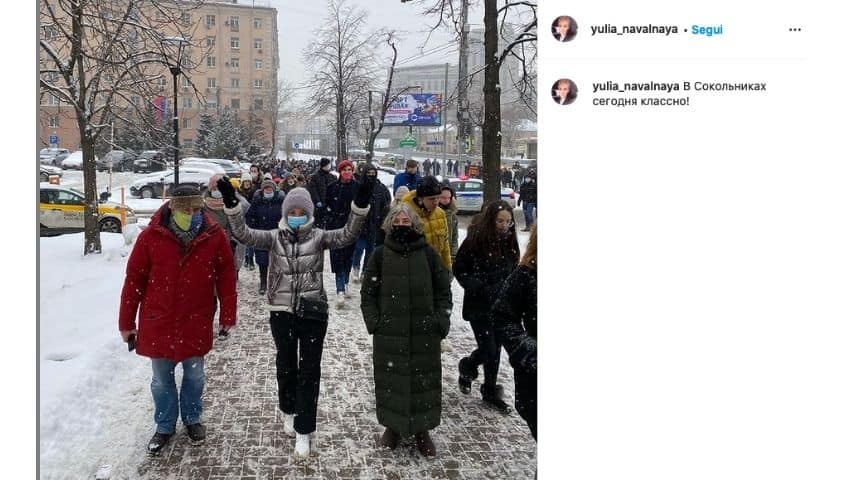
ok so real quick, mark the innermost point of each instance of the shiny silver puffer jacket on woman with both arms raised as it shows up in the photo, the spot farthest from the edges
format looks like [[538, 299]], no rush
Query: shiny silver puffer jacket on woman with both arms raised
[[296, 258]]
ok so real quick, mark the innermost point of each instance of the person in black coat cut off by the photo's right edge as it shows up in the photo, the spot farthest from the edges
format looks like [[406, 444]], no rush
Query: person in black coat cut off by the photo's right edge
[[515, 319]]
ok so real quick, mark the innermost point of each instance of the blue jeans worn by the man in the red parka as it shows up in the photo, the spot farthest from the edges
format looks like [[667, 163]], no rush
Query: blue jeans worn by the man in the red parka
[[165, 393]]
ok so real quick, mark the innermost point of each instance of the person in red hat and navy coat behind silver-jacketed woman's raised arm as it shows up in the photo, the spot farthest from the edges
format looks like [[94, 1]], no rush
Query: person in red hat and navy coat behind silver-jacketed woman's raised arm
[[339, 196]]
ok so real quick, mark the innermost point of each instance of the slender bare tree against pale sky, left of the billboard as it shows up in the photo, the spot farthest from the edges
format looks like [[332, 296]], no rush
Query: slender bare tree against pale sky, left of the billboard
[[341, 60]]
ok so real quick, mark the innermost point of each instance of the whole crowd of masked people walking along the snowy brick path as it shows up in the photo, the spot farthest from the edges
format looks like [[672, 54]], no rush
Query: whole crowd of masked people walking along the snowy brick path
[[402, 250]]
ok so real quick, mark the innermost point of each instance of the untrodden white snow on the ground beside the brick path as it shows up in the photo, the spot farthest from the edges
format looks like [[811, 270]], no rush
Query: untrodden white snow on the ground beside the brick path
[[94, 395]]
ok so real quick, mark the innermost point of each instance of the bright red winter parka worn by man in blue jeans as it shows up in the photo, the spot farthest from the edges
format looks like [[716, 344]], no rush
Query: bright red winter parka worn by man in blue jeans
[[177, 289]]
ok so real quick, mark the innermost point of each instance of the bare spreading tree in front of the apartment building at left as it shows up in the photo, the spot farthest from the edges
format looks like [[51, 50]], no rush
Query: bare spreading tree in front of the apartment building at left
[[103, 59]]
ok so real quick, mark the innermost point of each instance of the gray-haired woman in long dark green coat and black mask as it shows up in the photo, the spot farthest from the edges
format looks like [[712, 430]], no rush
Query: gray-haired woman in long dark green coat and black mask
[[406, 304]]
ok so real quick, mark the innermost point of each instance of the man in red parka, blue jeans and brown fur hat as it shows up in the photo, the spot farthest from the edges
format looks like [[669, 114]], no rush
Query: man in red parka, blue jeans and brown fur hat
[[179, 266]]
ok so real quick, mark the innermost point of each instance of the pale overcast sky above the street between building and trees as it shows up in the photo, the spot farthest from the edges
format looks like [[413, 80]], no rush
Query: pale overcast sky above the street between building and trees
[[297, 20]]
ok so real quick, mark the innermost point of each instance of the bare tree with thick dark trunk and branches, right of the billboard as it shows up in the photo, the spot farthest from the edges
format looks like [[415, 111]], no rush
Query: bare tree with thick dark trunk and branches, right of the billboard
[[520, 47]]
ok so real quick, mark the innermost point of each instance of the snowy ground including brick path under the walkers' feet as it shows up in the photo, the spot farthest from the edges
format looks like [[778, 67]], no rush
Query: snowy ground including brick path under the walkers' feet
[[96, 408]]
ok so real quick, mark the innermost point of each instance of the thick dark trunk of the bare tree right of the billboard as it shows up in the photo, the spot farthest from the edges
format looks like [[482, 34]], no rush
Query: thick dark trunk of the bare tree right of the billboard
[[491, 106]]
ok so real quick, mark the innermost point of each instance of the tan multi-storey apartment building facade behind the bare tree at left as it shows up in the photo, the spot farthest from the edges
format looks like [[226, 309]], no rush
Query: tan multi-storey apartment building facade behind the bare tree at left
[[235, 59]]
